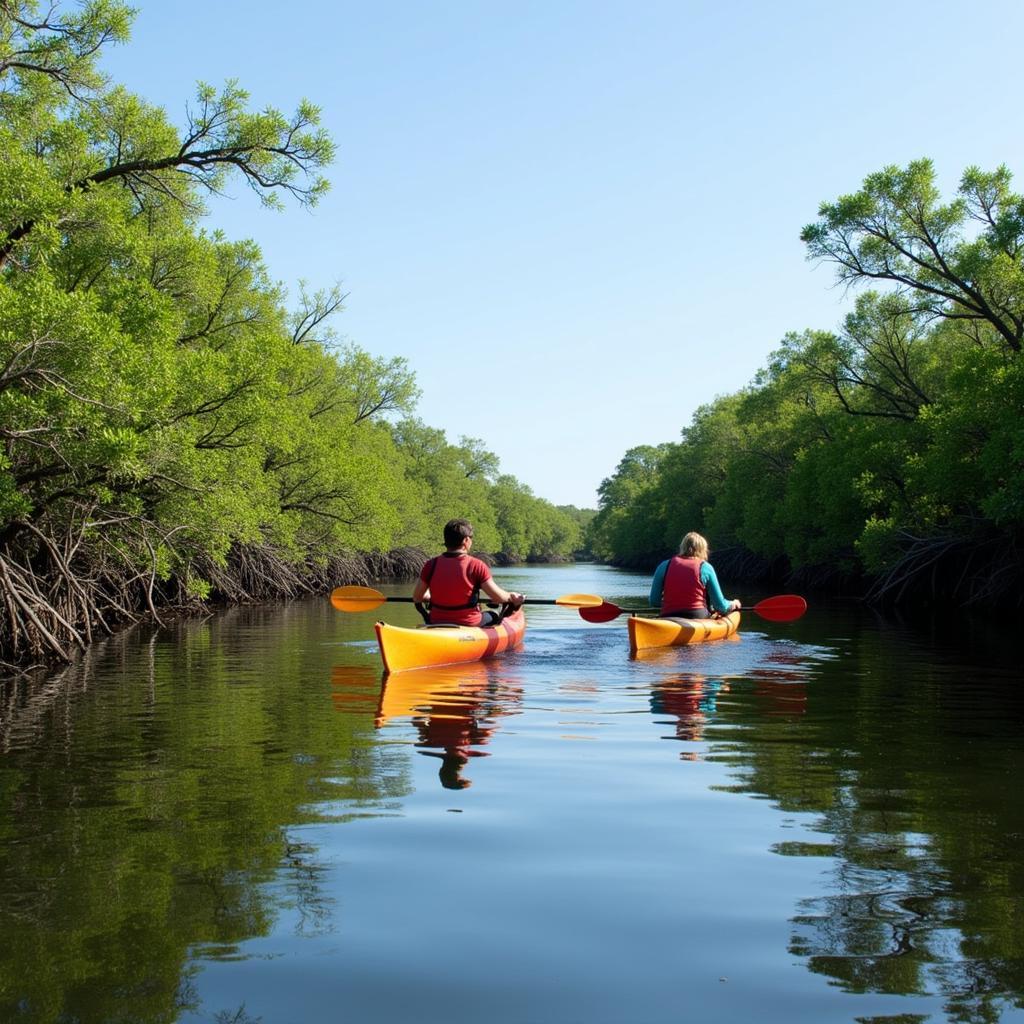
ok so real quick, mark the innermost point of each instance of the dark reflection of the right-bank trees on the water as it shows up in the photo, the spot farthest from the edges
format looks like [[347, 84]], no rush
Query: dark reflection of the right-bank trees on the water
[[902, 769]]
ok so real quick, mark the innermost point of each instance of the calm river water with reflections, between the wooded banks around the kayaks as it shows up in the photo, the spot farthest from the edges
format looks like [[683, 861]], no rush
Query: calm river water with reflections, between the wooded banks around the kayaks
[[232, 821]]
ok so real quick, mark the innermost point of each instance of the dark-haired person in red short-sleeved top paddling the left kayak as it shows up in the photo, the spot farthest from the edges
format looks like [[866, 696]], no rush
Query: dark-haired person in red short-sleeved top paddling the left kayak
[[452, 583]]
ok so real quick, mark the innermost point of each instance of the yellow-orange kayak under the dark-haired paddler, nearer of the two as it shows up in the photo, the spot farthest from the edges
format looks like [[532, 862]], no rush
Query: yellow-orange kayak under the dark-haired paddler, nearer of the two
[[403, 650]]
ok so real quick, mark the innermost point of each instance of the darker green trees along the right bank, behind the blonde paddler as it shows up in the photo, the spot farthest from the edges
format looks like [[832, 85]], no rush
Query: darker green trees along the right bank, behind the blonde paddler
[[888, 455]]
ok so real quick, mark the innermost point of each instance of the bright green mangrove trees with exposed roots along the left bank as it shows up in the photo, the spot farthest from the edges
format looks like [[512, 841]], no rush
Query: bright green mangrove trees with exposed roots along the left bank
[[172, 429]]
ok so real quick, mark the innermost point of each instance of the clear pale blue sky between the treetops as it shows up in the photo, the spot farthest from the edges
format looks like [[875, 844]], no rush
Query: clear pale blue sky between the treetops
[[580, 222]]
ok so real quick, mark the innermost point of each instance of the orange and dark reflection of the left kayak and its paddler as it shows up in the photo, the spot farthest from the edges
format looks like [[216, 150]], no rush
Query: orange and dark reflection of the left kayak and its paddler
[[455, 711]]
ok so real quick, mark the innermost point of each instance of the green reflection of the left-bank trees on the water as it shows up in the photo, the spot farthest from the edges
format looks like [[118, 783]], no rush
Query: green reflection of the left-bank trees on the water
[[150, 798]]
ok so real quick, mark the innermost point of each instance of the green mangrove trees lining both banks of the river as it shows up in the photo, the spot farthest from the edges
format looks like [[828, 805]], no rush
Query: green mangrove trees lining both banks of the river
[[178, 433]]
